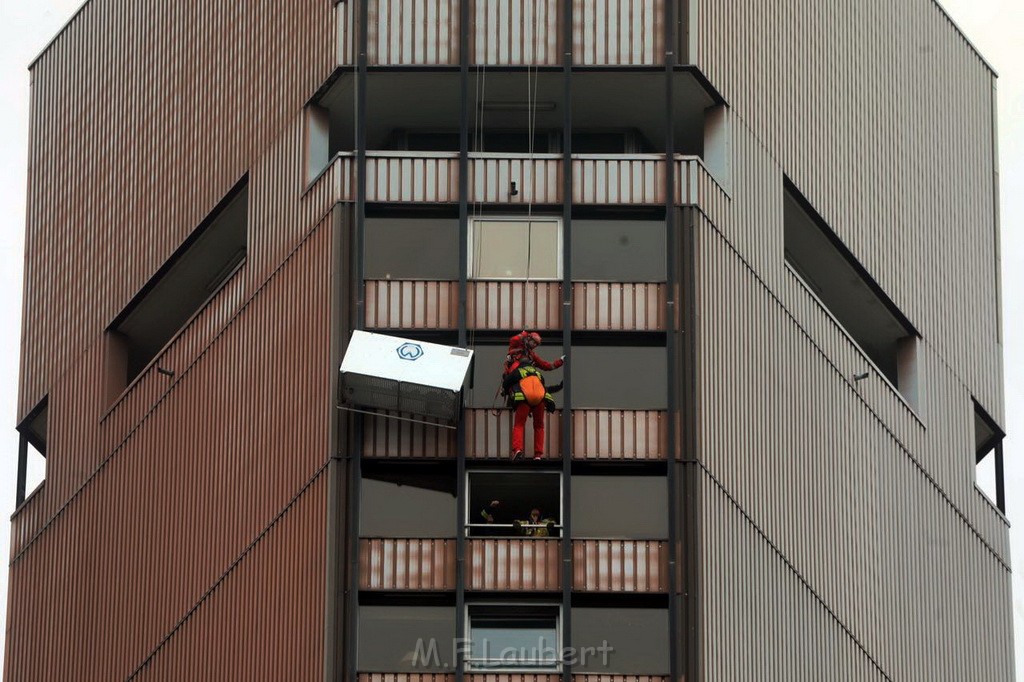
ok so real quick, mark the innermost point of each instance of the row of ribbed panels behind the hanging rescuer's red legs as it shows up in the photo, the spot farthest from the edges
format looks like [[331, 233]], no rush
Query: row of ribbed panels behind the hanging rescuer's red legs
[[608, 436]]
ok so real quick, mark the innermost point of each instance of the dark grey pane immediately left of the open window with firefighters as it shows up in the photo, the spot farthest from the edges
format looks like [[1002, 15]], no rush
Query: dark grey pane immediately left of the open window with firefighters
[[407, 504]]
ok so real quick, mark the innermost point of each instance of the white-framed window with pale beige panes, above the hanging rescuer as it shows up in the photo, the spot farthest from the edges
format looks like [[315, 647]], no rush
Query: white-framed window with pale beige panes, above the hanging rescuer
[[516, 249]]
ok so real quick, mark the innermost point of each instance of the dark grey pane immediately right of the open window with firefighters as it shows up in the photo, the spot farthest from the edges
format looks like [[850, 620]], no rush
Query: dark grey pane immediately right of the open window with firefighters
[[620, 507]]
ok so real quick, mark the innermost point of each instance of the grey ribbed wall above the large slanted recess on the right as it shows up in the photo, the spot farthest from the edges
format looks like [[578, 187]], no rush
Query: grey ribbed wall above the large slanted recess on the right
[[918, 154]]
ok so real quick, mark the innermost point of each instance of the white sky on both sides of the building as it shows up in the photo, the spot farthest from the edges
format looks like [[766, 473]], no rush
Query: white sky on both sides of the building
[[994, 26]]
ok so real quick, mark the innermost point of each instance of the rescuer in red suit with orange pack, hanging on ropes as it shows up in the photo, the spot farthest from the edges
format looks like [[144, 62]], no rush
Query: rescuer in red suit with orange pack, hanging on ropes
[[524, 387]]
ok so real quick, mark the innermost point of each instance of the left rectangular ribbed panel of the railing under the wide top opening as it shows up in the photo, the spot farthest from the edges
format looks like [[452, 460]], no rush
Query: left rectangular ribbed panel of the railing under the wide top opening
[[421, 177]]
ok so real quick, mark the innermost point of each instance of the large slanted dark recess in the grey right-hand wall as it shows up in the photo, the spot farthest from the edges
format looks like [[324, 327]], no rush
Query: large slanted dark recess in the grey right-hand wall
[[857, 302]]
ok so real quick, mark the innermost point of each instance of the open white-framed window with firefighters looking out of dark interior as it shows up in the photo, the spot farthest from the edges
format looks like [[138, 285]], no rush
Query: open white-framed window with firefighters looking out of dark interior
[[515, 504]]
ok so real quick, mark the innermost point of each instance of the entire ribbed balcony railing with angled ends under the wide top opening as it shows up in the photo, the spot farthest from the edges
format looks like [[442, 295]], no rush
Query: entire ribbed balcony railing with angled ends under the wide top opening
[[433, 178]]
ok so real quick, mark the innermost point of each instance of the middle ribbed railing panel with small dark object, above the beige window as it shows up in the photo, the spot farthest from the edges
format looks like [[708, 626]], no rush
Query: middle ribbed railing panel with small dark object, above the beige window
[[538, 180]]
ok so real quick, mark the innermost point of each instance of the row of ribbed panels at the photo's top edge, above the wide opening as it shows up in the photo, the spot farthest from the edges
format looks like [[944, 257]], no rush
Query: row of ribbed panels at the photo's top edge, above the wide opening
[[509, 33]]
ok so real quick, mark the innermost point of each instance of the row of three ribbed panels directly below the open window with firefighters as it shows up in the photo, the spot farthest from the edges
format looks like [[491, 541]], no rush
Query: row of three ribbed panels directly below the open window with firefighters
[[528, 565]]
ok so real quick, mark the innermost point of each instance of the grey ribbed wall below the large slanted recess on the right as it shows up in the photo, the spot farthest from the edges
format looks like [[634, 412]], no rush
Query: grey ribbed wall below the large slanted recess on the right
[[873, 526]]
